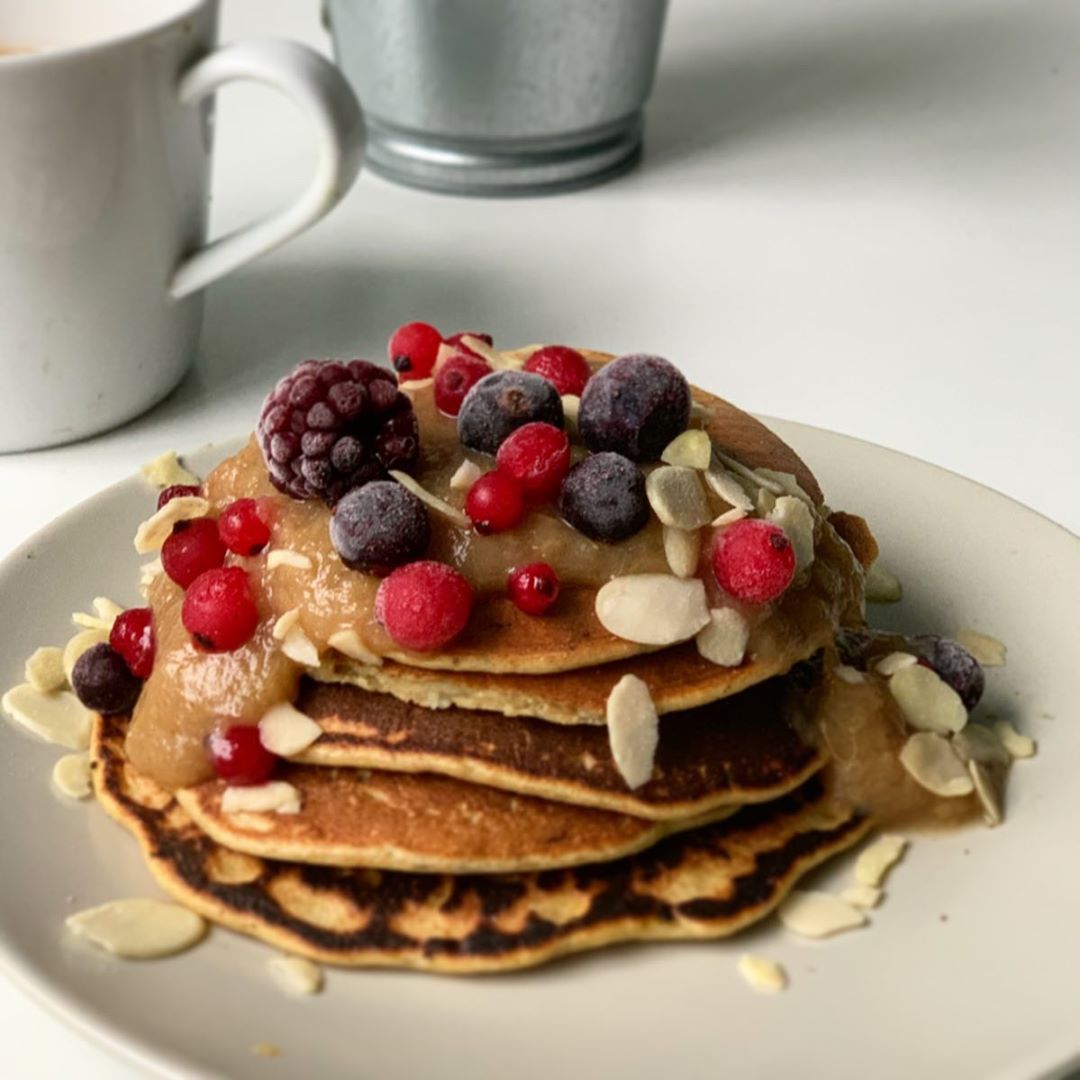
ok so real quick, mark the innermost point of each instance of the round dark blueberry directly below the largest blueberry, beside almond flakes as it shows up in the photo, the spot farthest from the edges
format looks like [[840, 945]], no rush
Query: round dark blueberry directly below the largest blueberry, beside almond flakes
[[604, 497]]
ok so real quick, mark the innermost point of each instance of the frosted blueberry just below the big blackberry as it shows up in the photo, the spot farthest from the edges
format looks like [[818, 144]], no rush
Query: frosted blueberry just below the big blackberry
[[380, 526]]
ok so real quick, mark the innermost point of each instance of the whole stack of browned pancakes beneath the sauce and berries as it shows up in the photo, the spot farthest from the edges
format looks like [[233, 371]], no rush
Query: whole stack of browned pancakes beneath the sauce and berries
[[463, 812]]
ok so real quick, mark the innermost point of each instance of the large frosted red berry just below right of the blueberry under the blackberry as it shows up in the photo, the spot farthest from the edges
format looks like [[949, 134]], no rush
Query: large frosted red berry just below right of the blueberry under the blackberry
[[425, 605]]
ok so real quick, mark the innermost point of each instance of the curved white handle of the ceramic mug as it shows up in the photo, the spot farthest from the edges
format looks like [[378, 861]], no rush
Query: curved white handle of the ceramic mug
[[321, 91]]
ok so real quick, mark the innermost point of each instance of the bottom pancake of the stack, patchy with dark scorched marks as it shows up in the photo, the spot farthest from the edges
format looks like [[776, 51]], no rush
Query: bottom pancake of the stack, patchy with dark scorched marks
[[709, 883]]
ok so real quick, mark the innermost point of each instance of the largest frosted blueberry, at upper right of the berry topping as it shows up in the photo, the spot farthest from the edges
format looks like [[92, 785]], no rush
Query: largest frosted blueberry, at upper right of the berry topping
[[636, 407]]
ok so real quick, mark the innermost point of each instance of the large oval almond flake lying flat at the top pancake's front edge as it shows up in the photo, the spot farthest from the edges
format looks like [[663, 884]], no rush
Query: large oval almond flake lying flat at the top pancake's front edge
[[653, 609]]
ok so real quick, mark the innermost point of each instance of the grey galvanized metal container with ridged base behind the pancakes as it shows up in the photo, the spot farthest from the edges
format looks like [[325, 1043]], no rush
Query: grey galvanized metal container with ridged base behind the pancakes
[[501, 97]]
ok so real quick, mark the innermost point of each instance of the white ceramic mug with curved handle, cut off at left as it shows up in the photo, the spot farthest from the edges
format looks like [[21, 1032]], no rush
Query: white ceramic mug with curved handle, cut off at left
[[105, 144]]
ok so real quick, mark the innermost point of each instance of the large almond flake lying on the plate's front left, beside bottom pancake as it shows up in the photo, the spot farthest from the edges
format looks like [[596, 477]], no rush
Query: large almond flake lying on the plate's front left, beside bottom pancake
[[140, 929]]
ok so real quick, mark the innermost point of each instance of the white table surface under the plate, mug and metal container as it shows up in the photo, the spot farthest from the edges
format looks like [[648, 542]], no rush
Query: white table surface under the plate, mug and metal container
[[861, 214]]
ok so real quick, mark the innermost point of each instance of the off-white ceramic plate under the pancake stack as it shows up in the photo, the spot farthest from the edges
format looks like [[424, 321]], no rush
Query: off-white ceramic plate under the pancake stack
[[969, 969]]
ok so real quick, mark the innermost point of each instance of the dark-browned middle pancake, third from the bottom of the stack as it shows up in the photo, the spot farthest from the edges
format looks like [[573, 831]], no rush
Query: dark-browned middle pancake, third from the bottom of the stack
[[748, 749]]
